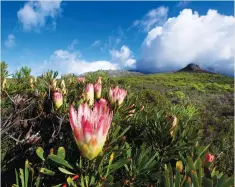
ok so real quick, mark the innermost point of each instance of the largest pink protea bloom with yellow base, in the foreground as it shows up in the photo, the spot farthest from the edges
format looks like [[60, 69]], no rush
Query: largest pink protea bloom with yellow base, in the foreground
[[90, 127]]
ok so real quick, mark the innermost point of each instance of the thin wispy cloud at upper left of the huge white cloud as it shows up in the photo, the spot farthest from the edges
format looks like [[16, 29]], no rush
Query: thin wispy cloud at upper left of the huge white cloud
[[152, 18]]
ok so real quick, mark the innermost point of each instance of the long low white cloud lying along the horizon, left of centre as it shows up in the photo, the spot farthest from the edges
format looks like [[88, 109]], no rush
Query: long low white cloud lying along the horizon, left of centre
[[65, 62]]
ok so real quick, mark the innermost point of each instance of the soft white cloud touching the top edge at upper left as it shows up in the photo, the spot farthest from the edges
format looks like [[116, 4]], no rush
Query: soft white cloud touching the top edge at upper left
[[35, 14]]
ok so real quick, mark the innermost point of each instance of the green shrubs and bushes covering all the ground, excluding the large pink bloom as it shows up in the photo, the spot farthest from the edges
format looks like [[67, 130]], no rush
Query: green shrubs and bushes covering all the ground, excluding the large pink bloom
[[172, 129]]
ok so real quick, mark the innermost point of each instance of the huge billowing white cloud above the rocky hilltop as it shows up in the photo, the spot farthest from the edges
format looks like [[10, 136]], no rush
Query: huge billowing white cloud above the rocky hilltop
[[207, 40]]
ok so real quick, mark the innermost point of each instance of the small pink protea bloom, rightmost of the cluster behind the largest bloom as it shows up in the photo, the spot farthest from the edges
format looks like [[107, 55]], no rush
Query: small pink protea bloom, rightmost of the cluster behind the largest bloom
[[117, 94]]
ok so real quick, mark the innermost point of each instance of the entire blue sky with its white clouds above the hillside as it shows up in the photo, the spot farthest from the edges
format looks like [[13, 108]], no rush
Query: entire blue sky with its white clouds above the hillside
[[81, 36]]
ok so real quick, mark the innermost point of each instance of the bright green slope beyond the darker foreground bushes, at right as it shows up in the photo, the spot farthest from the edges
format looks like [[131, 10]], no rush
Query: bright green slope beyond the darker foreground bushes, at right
[[211, 94]]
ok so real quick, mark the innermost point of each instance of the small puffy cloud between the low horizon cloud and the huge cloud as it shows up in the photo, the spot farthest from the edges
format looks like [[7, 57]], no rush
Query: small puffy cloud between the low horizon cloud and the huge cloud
[[123, 57]]
